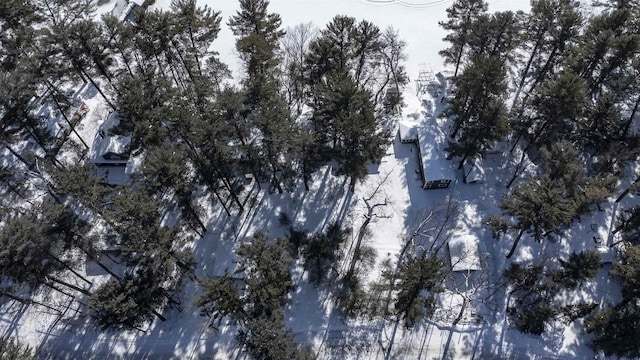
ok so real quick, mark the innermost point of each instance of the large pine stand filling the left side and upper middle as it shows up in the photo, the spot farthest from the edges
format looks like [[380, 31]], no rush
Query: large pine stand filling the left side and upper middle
[[306, 98]]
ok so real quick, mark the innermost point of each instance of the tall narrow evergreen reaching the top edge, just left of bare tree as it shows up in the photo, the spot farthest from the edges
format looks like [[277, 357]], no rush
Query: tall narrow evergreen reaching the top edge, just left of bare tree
[[265, 108]]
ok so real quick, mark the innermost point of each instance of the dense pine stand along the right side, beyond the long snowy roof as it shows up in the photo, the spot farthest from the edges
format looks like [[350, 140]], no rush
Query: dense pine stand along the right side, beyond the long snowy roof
[[560, 86]]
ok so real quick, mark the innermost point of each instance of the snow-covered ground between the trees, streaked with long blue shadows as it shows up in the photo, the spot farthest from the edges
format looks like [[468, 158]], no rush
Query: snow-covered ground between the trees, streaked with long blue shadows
[[484, 331]]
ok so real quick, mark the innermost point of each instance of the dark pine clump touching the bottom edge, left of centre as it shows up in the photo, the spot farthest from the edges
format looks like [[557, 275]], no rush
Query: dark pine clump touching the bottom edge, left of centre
[[264, 286]]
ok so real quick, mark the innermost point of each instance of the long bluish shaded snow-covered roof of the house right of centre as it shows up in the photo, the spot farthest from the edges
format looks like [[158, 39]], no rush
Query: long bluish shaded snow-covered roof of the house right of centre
[[432, 142]]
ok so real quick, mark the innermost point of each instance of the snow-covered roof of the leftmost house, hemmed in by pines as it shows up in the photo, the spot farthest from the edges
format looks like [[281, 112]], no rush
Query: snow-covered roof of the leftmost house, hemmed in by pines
[[110, 149]]
